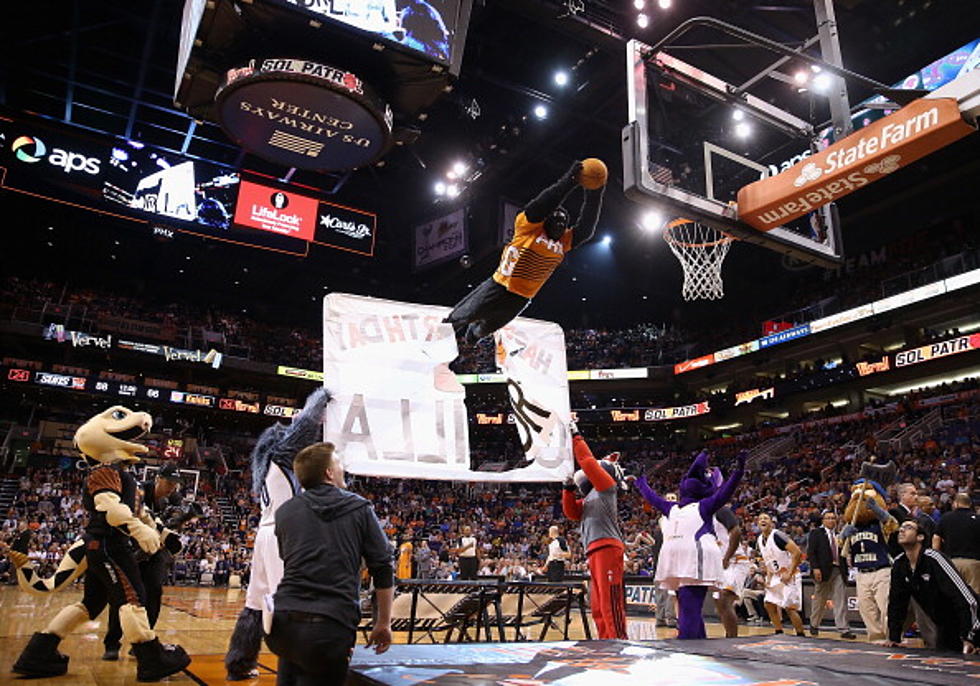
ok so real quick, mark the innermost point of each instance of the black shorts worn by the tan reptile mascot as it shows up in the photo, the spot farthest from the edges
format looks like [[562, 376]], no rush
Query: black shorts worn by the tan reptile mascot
[[112, 577]]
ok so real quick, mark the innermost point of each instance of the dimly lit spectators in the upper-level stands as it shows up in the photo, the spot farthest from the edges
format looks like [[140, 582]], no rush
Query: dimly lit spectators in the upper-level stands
[[920, 258]]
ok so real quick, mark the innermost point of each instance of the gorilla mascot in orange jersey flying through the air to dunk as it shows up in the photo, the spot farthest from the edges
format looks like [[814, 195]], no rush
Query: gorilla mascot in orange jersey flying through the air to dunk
[[543, 234]]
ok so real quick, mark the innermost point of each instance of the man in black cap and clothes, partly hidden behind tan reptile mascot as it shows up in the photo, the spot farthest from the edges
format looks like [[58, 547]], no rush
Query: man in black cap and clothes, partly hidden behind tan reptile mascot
[[157, 494]]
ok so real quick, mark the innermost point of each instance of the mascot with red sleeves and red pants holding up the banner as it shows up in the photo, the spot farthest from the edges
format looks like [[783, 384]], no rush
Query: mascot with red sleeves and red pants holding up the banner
[[599, 482]]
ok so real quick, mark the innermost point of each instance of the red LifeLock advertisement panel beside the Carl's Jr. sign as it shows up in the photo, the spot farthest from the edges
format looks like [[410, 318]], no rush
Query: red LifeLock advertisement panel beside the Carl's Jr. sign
[[277, 211]]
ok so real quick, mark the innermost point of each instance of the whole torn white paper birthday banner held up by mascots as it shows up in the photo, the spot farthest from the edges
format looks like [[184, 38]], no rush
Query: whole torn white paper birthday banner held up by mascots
[[398, 411]]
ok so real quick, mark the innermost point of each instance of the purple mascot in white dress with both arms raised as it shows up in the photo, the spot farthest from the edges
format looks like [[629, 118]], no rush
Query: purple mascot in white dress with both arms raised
[[690, 559]]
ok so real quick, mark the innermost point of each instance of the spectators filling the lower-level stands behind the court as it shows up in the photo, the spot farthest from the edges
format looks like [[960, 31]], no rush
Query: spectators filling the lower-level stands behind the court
[[510, 522]]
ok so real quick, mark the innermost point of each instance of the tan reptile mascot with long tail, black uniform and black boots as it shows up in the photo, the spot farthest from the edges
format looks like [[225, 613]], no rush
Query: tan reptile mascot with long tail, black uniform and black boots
[[111, 574]]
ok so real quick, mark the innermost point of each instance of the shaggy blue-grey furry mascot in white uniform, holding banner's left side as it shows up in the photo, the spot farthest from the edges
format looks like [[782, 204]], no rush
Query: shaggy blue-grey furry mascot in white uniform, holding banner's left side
[[273, 483]]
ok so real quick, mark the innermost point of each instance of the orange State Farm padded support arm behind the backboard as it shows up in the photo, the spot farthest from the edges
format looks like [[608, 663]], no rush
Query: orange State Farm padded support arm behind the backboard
[[883, 147]]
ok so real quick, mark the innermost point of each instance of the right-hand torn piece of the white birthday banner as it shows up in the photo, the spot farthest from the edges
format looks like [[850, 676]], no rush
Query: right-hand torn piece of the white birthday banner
[[531, 354]]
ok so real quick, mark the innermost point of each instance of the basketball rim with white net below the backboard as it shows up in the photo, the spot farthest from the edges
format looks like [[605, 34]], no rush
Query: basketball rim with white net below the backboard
[[701, 251]]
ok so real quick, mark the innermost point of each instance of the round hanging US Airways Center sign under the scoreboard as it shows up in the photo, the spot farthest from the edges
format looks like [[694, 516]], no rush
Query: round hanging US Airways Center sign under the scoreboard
[[303, 114]]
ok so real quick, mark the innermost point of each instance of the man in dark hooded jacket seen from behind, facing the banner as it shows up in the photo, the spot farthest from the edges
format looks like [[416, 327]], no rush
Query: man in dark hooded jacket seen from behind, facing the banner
[[323, 534]]
